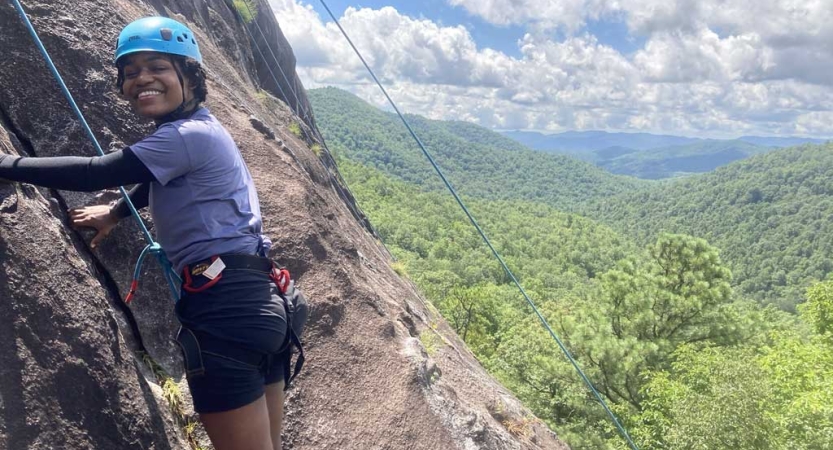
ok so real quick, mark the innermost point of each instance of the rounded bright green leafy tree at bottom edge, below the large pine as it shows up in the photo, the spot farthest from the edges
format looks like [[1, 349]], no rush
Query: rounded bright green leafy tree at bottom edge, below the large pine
[[709, 399]]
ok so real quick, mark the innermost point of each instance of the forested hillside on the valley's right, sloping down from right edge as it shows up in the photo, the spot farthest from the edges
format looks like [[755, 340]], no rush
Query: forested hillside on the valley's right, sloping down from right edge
[[771, 216]]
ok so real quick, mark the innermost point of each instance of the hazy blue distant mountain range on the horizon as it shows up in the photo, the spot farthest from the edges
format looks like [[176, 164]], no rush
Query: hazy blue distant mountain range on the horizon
[[653, 156]]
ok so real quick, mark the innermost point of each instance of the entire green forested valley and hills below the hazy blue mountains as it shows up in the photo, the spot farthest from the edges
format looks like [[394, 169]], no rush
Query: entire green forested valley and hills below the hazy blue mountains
[[701, 308]]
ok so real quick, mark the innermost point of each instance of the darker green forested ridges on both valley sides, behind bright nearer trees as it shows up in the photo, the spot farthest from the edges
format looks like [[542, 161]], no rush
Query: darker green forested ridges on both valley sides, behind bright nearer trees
[[769, 215]]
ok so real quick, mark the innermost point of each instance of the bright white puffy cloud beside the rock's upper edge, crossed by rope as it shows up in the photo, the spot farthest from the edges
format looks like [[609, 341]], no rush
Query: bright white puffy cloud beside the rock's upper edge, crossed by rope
[[396, 46]]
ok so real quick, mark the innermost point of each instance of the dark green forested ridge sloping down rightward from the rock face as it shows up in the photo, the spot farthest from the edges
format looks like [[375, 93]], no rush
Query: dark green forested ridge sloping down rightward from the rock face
[[477, 161]]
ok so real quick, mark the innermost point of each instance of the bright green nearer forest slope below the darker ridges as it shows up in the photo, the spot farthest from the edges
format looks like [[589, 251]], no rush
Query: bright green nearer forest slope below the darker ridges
[[681, 358]]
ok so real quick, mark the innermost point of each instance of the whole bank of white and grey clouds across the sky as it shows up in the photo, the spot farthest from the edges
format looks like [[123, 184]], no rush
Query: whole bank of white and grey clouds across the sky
[[704, 68]]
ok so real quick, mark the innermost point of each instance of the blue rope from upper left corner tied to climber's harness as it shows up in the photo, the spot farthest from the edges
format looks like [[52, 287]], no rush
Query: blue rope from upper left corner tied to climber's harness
[[152, 247]]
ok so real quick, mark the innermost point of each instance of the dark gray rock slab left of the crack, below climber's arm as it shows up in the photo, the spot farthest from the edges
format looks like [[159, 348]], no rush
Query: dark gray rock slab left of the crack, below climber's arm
[[67, 377]]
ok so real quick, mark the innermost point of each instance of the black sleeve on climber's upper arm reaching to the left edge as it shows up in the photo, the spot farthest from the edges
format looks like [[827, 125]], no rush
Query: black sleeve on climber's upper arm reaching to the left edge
[[77, 173]]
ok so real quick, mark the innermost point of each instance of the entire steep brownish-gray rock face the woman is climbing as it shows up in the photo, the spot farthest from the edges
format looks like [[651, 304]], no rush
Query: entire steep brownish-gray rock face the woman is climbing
[[70, 371]]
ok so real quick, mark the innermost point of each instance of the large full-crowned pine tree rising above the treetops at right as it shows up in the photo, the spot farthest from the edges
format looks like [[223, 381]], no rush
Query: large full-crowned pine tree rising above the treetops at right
[[681, 296]]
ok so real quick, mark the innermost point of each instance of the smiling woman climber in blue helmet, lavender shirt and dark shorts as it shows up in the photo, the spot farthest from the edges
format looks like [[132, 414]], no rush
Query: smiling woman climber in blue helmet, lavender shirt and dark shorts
[[207, 218]]
